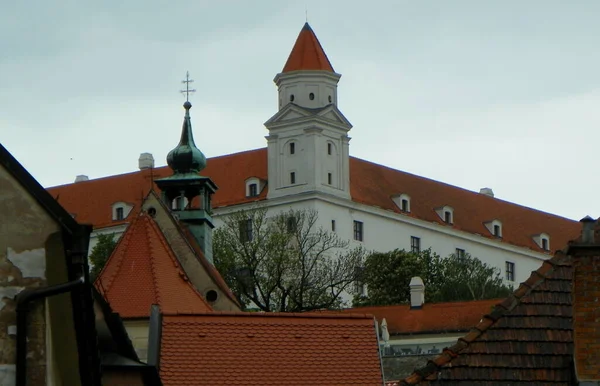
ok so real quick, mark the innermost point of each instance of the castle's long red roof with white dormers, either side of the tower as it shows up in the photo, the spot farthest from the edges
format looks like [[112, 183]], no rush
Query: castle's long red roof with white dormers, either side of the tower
[[370, 184]]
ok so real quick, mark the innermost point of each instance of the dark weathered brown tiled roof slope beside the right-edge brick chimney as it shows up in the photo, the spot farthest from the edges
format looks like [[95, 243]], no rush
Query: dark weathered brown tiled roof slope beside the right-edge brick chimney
[[526, 340]]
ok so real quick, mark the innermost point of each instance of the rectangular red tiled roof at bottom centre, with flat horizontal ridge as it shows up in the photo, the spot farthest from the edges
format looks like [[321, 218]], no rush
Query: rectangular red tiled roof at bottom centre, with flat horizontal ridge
[[264, 349]]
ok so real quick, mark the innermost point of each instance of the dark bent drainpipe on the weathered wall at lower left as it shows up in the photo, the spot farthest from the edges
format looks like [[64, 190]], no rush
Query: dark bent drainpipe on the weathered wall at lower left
[[23, 299]]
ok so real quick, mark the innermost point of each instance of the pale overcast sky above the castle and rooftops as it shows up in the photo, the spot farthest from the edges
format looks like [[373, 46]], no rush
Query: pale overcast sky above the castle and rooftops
[[501, 94]]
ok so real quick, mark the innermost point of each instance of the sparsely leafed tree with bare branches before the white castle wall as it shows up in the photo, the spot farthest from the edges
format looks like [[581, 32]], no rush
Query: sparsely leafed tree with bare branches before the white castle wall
[[286, 262]]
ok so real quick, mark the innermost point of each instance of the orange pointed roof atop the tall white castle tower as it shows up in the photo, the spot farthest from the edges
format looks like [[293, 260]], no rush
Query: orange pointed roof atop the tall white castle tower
[[307, 53]]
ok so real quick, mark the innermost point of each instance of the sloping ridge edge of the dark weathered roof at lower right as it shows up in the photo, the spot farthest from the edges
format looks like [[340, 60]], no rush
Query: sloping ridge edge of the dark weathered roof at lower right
[[537, 277]]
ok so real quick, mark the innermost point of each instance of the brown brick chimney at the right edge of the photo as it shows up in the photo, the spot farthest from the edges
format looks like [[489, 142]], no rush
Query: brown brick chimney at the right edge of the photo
[[585, 255]]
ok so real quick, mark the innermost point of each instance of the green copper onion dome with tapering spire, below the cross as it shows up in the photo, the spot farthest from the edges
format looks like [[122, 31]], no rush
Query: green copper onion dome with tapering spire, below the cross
[[186, 157]]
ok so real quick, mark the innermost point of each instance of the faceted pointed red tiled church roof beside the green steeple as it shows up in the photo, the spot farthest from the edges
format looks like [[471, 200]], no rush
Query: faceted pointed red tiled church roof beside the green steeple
[[143, 271]]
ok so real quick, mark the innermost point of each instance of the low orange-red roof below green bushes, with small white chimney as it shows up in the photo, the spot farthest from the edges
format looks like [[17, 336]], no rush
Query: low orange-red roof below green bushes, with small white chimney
[[431, 318]]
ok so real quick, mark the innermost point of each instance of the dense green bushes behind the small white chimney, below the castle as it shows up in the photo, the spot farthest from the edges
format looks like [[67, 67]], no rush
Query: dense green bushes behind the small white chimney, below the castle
[[455, 278]]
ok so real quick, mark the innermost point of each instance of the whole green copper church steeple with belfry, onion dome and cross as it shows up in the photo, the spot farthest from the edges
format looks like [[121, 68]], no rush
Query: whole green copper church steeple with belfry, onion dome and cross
[[187, 193]]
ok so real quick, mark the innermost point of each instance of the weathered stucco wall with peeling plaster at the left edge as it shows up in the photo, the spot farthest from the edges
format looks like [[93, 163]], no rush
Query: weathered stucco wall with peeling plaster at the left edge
[[32, 256]]
